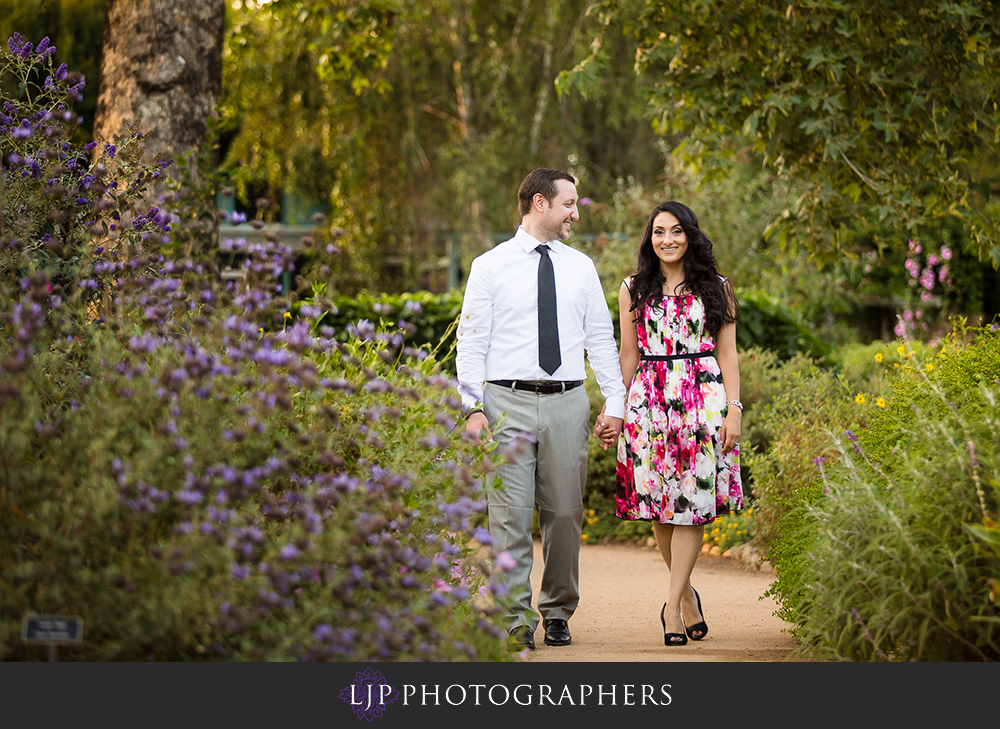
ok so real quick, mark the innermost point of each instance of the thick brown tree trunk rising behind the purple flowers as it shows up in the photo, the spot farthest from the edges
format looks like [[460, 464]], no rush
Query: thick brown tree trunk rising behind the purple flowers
[[161, 70]]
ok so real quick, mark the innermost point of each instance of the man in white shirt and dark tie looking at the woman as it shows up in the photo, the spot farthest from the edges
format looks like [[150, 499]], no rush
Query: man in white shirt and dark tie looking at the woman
[[530, 311]]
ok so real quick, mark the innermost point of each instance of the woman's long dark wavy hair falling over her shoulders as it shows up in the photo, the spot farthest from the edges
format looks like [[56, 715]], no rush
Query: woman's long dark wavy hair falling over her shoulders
[[700, 275]]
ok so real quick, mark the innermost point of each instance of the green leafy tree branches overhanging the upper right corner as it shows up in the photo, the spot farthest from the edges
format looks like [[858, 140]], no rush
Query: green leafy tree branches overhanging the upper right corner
[[884, 111]]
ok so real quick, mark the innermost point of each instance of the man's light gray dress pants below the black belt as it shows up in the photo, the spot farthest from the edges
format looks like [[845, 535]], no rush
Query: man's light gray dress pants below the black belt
[[545, 441]]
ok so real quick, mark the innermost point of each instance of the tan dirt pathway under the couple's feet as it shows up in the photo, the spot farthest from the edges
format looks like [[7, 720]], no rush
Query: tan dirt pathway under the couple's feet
[[622, 589]]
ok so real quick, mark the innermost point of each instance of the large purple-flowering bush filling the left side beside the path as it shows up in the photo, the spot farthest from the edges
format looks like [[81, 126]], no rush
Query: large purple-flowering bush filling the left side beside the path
[[192, 470]]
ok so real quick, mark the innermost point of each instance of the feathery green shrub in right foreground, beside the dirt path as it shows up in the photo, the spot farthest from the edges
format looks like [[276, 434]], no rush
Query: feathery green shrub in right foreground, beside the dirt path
[[899, 564]]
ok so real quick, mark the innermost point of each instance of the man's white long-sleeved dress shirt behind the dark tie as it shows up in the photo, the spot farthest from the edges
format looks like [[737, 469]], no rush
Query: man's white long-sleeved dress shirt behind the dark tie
[[498, 329]]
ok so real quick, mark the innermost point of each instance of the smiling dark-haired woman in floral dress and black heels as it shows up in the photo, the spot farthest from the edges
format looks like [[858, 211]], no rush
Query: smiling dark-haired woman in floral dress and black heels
[[678, 455]]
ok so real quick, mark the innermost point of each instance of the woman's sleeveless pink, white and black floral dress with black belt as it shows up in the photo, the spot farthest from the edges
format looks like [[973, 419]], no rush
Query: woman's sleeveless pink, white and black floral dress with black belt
[[670, 463]]
